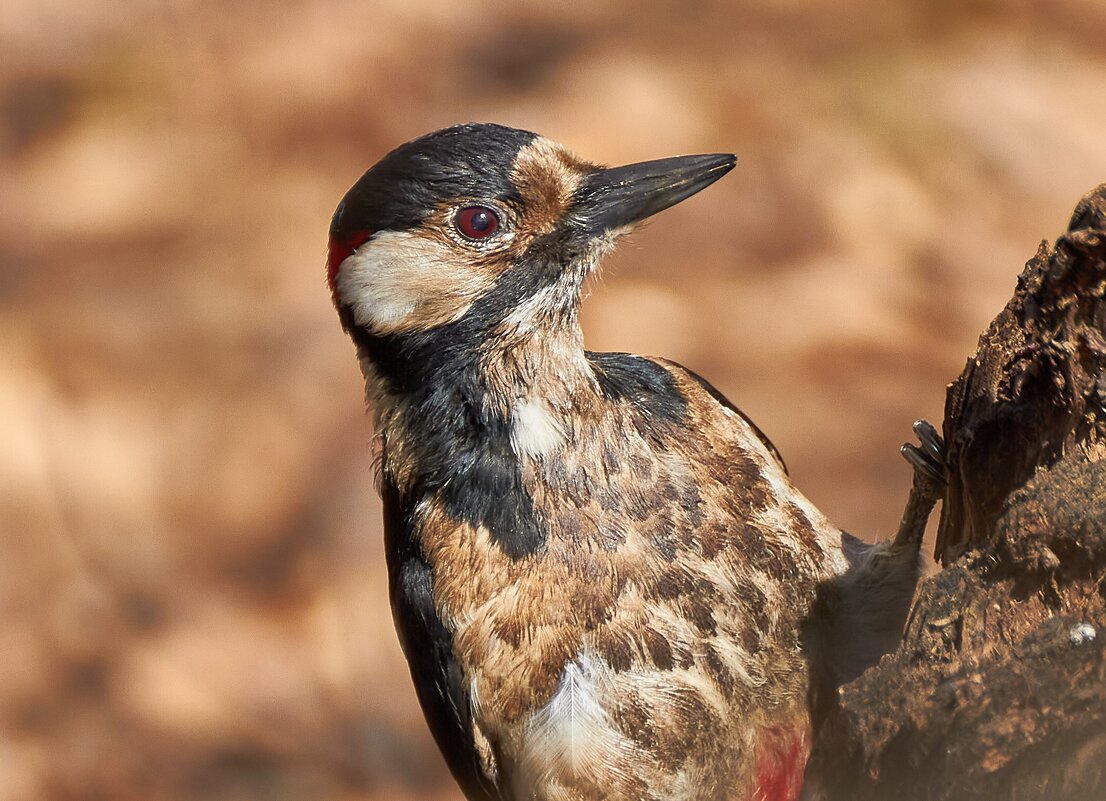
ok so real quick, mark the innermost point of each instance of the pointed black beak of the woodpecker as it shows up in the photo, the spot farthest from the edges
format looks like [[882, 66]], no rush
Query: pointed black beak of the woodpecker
[[621, 196]]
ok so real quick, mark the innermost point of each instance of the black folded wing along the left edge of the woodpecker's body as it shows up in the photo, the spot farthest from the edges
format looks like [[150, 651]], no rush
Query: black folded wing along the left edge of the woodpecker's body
[[429, 647]]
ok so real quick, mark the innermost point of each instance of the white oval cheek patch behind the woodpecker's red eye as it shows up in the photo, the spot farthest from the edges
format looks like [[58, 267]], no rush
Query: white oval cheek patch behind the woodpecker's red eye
[[400, 282]]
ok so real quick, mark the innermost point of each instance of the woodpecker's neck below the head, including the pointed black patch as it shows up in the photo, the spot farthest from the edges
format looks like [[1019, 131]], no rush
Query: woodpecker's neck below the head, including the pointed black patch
[[457, 424]]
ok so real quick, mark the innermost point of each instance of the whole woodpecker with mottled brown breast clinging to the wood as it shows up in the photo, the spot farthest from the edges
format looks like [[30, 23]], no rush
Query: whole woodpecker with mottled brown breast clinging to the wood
[[603, 580]]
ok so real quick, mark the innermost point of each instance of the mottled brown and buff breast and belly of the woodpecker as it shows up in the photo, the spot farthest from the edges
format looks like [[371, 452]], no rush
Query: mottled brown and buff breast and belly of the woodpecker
[[654, 632]]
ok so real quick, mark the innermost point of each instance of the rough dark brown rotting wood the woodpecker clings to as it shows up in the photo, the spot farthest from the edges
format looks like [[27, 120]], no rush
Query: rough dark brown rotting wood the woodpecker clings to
[[999, 689]]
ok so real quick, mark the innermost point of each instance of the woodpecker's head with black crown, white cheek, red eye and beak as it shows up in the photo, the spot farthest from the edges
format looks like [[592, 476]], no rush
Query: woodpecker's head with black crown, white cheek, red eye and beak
[[488, 230]]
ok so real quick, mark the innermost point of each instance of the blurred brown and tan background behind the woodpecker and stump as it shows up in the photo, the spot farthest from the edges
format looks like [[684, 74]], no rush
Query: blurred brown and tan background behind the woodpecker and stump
[[191, 566]]
